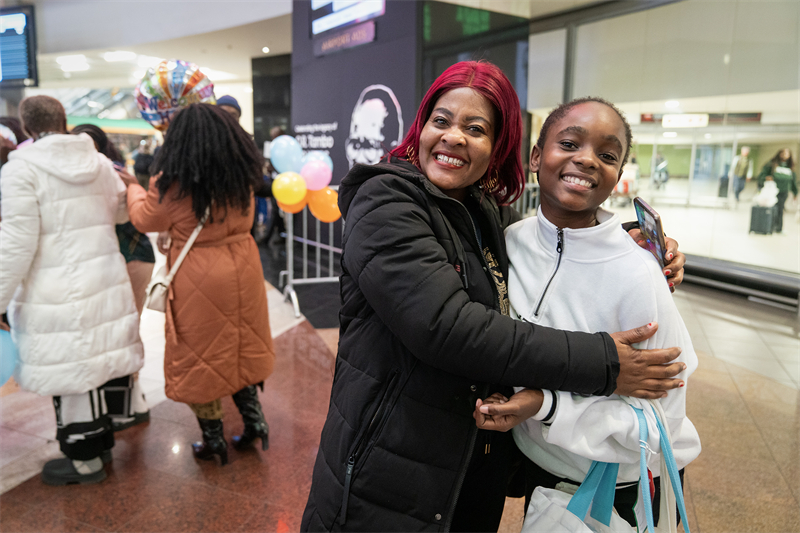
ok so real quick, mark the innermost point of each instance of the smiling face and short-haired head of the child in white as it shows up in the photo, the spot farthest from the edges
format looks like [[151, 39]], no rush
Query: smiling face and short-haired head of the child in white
[[580, 164]]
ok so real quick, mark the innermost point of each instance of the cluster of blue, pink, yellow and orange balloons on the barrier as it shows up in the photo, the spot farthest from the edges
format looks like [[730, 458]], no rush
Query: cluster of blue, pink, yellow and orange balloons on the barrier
[[303, 180]]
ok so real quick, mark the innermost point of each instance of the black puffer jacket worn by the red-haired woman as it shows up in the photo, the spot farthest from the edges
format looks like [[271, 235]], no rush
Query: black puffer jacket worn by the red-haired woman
[[419, 343]]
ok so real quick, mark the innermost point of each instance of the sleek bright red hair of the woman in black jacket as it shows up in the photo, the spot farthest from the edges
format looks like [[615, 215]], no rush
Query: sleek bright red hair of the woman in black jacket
[[490, 82]]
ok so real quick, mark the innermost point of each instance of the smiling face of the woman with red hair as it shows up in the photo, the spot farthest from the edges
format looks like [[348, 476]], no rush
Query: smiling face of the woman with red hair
[[455, 146]]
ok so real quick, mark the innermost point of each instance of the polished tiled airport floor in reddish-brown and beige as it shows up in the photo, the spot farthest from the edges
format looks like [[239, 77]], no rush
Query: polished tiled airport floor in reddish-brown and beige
[[743, 399]]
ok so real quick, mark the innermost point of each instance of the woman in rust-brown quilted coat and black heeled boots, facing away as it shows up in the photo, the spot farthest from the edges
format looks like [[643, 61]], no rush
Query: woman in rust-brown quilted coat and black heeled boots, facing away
[[218, 341]]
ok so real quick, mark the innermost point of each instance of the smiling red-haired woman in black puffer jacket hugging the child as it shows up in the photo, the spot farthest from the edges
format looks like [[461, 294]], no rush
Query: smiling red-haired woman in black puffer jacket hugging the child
[[425, 330]]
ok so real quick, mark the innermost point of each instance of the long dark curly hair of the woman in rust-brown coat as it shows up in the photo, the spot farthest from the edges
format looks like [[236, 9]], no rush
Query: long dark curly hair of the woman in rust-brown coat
[[210, 158]]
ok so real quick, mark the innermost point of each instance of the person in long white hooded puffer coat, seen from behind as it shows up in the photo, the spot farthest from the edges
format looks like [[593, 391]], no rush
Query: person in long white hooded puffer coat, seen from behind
[[64, 284]]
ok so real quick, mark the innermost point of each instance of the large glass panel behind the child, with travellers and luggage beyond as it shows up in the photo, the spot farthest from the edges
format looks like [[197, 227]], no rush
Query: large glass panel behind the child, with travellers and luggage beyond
[[736, 64]]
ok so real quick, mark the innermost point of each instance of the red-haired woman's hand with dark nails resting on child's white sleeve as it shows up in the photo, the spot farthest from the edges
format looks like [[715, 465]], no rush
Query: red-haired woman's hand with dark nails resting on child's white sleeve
[[645, 373]]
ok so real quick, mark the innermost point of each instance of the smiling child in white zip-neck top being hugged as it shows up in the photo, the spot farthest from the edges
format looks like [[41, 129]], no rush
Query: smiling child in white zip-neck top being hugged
[[573, 267]]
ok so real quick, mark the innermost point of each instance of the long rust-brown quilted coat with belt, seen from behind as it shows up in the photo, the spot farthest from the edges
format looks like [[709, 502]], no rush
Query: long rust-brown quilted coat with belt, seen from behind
[[218, 339]]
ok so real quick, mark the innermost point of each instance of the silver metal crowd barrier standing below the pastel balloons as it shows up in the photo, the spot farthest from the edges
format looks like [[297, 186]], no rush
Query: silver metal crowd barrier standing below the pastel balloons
[[288, 279]]
